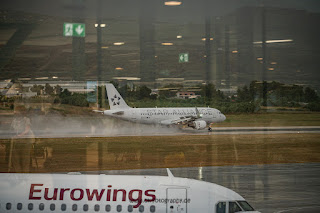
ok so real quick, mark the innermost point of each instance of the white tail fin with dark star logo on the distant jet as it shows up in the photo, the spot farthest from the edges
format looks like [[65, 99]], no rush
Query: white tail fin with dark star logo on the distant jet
[[114, 98]]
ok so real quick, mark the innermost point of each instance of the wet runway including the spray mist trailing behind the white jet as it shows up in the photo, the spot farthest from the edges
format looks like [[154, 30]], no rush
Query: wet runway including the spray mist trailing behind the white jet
[[58, 127]]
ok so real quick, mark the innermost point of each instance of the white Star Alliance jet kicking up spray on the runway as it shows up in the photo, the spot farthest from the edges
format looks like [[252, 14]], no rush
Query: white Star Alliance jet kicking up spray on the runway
[[197, 118]]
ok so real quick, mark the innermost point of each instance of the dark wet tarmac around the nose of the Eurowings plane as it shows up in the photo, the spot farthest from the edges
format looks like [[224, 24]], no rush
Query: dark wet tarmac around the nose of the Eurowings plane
[[280, 188]]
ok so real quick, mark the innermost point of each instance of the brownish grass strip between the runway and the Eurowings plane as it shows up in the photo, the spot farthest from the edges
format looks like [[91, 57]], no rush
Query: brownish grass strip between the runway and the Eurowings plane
[[82, 154]]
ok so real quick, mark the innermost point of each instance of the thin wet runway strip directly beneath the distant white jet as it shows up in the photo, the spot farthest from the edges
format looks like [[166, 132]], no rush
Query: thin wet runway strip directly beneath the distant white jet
[[161, 131]]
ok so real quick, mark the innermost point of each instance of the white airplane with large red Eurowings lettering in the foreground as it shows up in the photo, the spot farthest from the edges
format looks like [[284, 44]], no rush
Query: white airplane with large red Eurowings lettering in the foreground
[[115, 193]]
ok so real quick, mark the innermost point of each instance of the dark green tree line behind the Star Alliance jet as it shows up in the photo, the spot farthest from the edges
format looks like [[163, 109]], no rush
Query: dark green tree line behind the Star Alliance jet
[[247, 99]]
